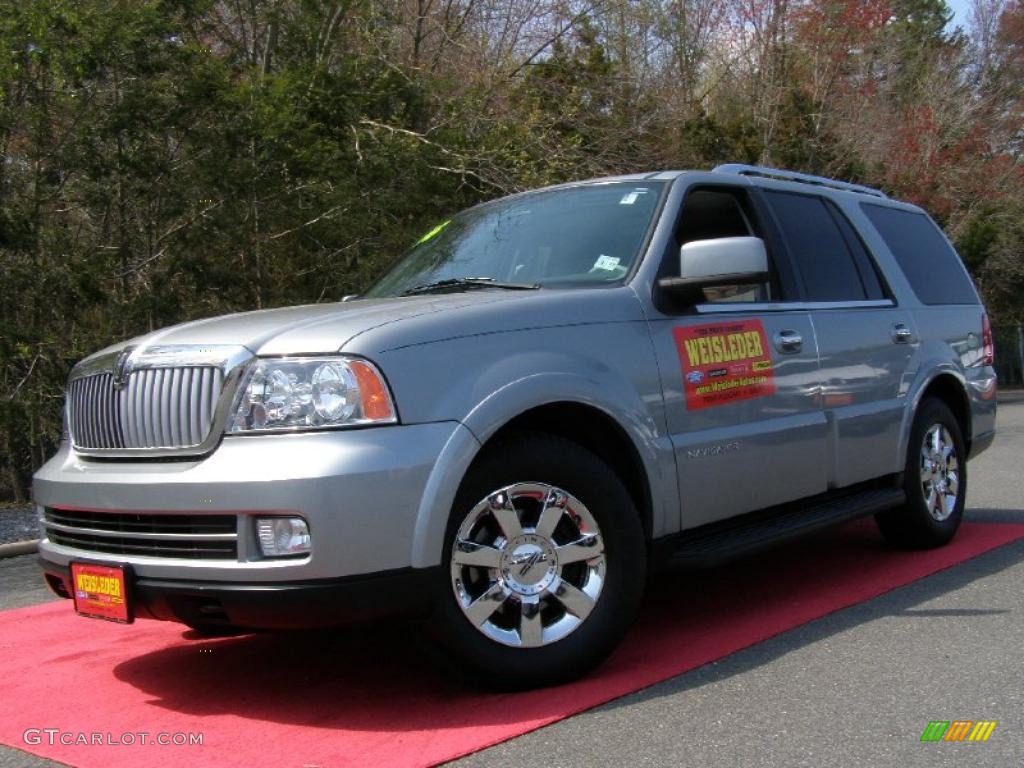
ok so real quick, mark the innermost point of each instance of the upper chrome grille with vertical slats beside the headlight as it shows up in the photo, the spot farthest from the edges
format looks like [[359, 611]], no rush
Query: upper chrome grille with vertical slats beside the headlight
[[158, 408]]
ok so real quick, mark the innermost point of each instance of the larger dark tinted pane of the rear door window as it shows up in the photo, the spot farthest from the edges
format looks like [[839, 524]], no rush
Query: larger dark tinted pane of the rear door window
[[822, 253]]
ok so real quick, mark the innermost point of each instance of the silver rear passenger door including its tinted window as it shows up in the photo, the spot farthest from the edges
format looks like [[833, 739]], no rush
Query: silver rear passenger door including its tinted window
[[866, 342]]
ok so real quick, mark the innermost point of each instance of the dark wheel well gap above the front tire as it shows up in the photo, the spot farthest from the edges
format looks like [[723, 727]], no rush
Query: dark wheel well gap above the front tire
[[600, 434]]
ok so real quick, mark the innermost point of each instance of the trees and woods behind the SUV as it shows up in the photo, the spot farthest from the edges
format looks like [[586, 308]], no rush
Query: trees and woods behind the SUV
[[169, 160]]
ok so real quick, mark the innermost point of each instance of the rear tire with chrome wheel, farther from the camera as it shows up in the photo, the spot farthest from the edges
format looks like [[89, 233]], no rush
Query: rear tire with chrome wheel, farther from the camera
[[934, 481]]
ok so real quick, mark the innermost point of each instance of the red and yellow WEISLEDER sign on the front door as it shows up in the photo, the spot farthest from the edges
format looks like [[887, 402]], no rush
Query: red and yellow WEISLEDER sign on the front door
[[724, 363]]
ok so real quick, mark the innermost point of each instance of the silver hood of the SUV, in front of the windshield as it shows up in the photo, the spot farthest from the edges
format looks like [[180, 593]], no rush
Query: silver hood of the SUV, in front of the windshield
[[313, 329]]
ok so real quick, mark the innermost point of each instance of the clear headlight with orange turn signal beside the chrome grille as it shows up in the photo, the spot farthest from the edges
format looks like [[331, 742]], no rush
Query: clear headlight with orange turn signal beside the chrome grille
[[312, 394]]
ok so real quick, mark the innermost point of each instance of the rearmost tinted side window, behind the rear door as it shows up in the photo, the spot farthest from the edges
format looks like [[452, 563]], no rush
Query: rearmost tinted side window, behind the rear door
[[930, 265]]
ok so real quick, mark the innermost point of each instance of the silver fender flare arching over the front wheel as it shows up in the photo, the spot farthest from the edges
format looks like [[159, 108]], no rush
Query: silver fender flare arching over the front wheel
[[614, 398]]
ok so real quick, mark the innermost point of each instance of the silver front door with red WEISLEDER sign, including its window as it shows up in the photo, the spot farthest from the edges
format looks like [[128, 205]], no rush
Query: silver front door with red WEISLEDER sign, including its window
[[740, 372]]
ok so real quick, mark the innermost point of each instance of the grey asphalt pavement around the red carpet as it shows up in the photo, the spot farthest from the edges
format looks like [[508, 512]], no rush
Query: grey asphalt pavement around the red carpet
[[854, 689]]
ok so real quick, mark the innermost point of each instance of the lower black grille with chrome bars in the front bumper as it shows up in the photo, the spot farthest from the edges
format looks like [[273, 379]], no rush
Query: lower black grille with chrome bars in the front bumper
[[190, 537]]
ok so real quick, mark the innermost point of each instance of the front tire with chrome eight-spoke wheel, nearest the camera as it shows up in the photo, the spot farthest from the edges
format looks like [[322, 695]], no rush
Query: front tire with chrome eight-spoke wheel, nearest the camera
[[544, 565]]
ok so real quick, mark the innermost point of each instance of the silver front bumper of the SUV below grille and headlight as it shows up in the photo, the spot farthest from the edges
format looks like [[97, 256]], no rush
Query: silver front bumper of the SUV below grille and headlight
[[360, 491]]
